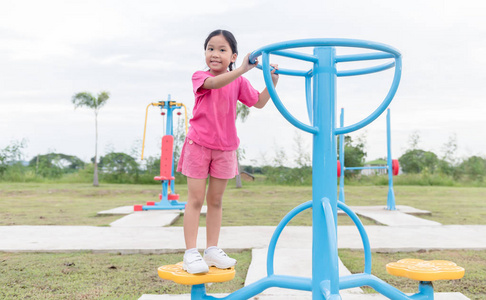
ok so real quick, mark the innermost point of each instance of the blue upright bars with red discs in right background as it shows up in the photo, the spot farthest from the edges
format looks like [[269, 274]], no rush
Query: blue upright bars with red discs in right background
[[392, 165]]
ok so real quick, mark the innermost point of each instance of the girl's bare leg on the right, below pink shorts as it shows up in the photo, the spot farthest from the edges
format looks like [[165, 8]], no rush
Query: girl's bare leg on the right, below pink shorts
[[214, 199]]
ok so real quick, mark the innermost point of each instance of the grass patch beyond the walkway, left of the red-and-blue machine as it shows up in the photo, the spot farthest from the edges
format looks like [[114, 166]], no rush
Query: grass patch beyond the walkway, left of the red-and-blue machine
[[67, 204]]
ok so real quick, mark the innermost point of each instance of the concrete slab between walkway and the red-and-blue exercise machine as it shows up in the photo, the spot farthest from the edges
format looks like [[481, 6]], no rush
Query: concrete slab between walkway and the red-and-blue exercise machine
[[151, 218]]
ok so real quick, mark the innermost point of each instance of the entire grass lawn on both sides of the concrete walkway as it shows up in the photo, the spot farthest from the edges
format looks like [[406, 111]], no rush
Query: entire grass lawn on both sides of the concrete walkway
[[108, 276]]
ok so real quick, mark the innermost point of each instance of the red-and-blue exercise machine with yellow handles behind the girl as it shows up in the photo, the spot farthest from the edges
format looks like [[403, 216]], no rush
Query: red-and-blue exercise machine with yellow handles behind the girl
[[168, 198]]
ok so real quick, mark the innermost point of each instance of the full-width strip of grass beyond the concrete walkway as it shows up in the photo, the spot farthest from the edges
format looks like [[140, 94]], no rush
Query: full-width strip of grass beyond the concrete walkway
[[254, 204]]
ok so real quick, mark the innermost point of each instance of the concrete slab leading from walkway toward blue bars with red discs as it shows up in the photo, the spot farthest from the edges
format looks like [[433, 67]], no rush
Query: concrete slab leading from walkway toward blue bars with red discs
[[391, 217]]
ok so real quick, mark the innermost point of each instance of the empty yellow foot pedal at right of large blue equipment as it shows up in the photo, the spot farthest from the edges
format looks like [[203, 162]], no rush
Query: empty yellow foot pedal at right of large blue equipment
[[425, 270]]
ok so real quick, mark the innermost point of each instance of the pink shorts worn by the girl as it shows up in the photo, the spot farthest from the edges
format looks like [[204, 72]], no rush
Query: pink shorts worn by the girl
[[197, 161]]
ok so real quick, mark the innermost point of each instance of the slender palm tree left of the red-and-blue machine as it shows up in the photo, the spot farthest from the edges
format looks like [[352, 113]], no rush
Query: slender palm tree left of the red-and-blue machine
[[88, 100]]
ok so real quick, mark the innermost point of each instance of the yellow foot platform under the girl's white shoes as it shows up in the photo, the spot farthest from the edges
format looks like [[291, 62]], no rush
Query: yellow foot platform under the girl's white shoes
[[177, 274]]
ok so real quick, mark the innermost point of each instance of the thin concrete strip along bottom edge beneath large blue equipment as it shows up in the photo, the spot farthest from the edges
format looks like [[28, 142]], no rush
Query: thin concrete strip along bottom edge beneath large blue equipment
[[437, 296]]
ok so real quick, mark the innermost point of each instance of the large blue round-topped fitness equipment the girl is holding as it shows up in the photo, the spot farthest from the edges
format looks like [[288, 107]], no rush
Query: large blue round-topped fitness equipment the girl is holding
[[325, 282]]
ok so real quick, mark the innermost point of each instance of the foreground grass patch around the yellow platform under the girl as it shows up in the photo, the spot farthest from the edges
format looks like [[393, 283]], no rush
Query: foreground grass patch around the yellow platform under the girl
[[84, 275]]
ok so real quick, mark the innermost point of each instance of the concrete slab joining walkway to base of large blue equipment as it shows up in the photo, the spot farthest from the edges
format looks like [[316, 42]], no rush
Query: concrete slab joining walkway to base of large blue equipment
[[294, 262]]
